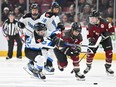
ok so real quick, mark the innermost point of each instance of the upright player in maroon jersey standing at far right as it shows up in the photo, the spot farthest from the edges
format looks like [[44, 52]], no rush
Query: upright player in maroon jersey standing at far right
[[98, 27]]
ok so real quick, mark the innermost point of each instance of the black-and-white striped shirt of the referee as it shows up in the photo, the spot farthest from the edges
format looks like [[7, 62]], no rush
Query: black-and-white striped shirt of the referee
[[10, 28]]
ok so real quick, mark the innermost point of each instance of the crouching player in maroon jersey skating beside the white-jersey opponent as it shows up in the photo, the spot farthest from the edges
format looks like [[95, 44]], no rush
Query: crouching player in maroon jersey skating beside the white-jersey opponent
[[72, 36]]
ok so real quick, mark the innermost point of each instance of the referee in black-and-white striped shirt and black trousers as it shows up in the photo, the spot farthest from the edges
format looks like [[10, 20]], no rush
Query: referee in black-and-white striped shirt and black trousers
[[11, 32]]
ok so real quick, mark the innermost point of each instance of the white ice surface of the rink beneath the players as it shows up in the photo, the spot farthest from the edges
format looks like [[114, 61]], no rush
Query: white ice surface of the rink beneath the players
[[13, 75]]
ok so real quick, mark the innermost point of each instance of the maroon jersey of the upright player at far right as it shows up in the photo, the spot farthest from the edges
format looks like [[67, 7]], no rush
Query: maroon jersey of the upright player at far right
[[96, 30]]
